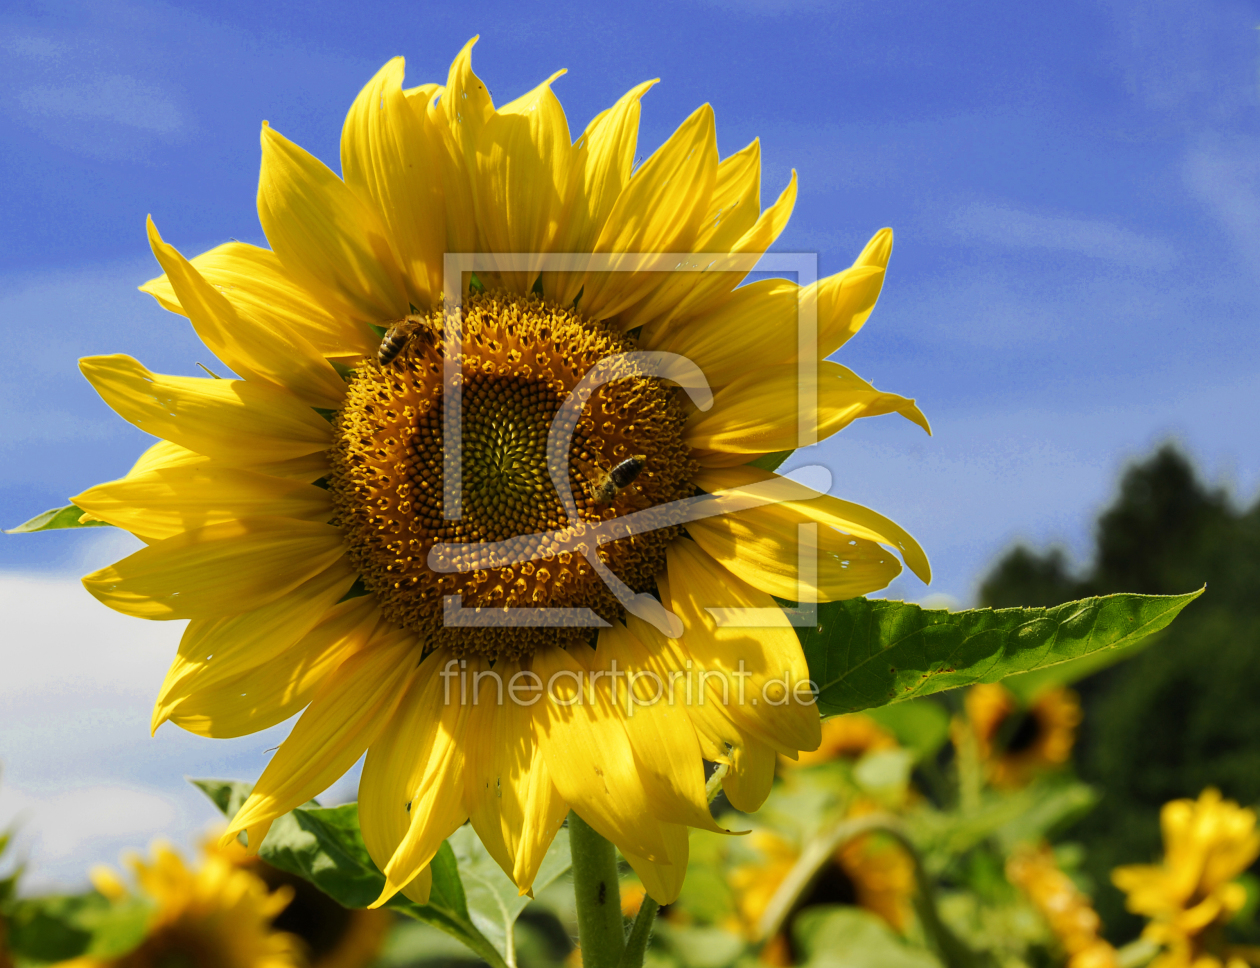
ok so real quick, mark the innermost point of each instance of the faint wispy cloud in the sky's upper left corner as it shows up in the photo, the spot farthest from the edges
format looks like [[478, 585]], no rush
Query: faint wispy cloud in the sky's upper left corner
[[112, 98]]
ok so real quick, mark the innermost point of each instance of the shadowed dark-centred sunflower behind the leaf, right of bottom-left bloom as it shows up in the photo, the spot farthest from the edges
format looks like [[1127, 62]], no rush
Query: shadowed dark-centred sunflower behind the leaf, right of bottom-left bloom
[[332, 936]]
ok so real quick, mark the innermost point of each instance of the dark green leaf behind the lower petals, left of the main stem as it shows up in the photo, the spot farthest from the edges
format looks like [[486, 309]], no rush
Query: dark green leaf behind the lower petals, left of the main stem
[[323, 845]]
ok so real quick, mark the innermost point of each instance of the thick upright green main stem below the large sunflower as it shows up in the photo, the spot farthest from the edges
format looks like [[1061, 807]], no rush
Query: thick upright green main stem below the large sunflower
[[600, 927]]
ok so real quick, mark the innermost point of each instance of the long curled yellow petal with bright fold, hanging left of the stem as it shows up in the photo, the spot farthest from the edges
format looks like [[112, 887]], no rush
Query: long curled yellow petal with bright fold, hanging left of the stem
[[410, 796]]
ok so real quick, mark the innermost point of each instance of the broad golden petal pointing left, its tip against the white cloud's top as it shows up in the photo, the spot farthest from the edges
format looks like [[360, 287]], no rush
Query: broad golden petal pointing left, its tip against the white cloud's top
[[217, 570]]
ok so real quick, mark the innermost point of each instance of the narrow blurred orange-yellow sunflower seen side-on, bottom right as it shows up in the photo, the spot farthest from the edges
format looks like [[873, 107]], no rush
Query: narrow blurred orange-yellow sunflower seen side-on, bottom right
[[1069, 913]]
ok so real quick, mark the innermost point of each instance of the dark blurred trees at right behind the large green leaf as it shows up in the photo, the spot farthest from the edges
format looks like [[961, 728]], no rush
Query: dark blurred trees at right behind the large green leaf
[[1183, 715]]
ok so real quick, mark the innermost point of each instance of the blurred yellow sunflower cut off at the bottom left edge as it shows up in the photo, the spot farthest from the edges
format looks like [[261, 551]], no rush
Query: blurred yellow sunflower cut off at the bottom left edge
[[217, 917]]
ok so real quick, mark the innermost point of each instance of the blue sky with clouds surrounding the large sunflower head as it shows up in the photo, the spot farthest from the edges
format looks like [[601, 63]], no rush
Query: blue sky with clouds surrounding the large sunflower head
[[1075, 190]]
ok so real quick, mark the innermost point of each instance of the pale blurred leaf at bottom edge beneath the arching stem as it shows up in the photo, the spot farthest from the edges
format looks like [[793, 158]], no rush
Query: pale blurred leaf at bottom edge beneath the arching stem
[[836, 937]]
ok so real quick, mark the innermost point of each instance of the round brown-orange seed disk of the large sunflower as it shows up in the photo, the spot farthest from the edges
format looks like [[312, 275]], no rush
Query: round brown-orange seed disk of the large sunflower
[[518, 361]]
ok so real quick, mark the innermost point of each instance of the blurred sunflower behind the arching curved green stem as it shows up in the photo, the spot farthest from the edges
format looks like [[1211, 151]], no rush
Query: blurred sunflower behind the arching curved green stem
[[868, 872]]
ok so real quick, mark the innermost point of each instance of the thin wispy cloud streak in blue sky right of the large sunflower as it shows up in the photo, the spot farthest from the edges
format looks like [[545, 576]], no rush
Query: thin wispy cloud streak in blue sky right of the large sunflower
[[1096, 239]]
